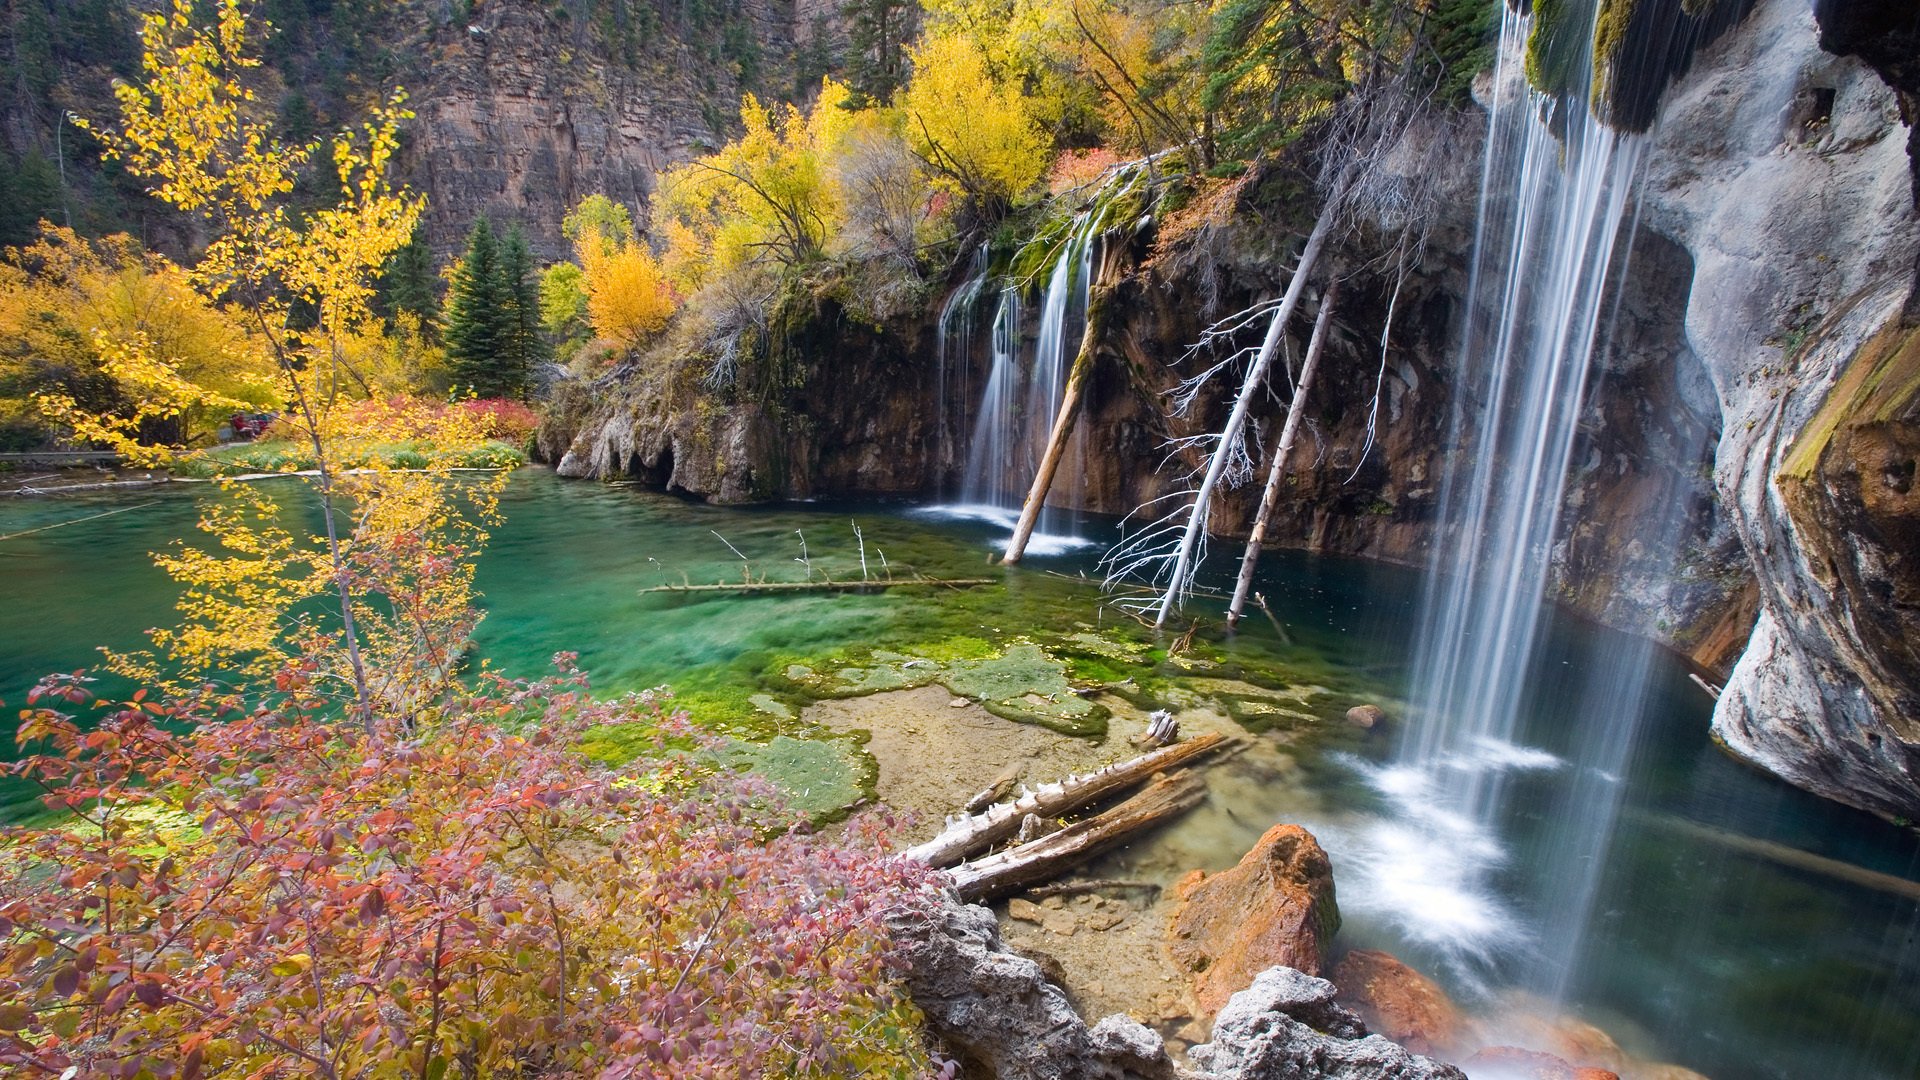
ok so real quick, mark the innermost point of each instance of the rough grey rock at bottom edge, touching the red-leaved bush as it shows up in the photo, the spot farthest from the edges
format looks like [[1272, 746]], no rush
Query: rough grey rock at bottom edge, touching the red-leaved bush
[[1001, 1016]]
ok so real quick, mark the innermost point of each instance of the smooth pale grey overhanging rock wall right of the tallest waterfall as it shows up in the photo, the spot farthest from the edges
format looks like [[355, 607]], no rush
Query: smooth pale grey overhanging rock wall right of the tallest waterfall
[[1783, 172]]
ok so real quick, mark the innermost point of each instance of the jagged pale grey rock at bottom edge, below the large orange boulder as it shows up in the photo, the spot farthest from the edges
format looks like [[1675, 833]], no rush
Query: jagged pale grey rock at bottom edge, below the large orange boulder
[[1287, 1027]]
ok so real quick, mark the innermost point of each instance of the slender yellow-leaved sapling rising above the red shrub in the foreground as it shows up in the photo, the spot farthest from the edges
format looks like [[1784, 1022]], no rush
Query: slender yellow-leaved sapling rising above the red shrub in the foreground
[[395, 547]]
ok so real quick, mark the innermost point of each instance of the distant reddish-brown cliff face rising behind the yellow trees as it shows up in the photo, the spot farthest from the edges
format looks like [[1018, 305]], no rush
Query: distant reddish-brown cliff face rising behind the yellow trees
[[527, 110]]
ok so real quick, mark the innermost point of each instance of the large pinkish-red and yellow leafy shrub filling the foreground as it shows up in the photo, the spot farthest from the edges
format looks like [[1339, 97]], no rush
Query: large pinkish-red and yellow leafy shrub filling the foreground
[[266, 893]]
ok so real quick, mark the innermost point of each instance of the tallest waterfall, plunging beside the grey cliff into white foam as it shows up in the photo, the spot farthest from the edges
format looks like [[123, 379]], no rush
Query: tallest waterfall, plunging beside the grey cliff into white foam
[[1554, 197]]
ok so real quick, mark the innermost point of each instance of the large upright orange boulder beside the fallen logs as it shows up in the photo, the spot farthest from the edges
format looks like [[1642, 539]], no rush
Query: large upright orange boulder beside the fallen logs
[[1274, 908]]
